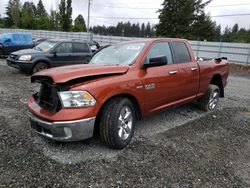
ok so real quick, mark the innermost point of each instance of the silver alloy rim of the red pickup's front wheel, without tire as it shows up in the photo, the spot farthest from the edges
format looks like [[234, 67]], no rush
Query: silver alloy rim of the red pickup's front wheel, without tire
[[125, 123]]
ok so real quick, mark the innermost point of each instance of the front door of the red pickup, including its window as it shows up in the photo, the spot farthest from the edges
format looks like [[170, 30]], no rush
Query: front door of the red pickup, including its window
[[160, 83]]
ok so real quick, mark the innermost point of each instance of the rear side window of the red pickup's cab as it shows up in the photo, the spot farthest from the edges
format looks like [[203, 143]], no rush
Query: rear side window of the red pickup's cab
[[181, 52]]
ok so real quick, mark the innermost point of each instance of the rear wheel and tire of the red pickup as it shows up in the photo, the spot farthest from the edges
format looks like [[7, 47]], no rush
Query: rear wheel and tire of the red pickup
[[210, 100]]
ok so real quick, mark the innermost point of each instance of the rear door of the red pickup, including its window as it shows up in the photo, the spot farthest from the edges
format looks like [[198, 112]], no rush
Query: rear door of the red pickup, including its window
[[188, 70]]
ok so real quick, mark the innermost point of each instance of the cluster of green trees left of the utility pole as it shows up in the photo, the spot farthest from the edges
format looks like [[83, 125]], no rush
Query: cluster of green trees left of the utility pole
[[31, 16]]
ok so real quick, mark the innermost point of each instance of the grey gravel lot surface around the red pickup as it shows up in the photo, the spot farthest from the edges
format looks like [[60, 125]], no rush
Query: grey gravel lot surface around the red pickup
[[180, 147]]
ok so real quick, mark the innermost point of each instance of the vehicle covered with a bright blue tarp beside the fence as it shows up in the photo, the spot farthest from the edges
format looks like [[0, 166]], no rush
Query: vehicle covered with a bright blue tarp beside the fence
[[10, 42]]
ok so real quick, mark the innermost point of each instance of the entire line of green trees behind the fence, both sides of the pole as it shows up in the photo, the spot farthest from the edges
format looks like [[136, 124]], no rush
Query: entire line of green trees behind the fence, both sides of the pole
[[182, 19]]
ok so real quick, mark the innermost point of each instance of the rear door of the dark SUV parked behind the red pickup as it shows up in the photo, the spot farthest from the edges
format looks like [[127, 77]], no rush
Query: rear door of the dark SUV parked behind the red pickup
[[81, 52]]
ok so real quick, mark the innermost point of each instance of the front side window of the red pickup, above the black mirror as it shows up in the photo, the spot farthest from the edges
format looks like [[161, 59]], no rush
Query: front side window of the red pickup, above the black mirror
[[161, 49]]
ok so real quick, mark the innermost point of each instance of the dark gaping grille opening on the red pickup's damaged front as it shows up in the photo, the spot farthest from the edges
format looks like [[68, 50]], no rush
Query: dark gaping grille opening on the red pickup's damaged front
[[48, 98]]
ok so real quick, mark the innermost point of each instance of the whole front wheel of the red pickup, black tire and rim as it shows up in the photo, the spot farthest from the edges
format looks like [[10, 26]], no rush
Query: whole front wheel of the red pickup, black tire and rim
[[117, 123]]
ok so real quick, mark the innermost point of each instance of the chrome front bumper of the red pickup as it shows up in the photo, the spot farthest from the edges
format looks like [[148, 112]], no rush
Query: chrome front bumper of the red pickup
[[63, 130]]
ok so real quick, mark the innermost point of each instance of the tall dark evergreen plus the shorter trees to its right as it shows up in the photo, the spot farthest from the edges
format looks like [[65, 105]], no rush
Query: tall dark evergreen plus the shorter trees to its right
[[187, 19]]
